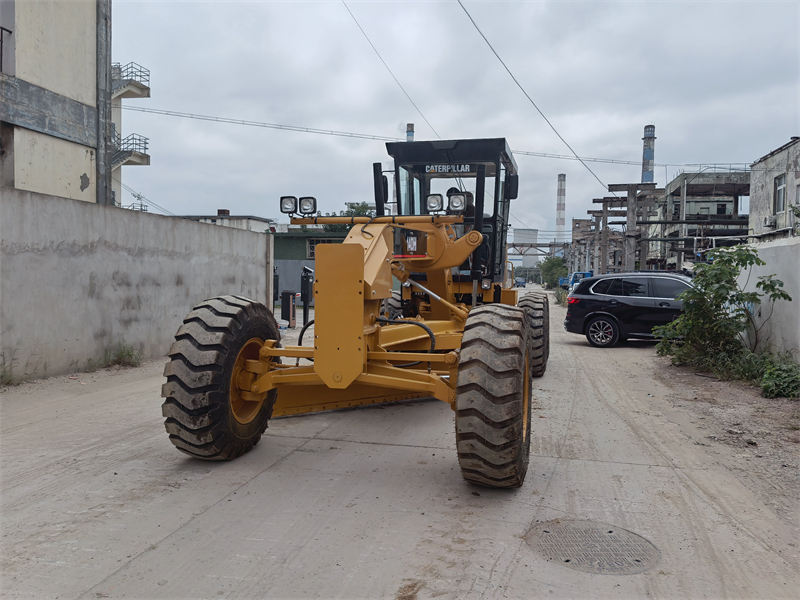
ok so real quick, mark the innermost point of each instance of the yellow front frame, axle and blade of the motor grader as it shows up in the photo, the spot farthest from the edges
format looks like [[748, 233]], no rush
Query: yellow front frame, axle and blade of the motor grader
[[359, 357]]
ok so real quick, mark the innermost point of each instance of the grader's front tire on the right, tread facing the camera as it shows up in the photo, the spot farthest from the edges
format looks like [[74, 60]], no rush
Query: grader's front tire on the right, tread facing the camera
[[493, 397]]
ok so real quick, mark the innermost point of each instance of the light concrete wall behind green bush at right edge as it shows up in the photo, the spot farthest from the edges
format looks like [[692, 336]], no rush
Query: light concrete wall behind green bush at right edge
[[781, 332]]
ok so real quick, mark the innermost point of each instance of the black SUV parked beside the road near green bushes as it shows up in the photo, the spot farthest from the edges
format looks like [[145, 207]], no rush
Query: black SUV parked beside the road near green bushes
[[617, 306]]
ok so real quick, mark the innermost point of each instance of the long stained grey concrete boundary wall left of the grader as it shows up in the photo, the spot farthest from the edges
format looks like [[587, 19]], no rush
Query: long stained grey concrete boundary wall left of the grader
[[77, 279]]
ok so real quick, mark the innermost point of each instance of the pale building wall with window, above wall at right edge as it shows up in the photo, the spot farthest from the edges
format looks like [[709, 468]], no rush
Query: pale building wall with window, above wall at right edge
[[762, 188]]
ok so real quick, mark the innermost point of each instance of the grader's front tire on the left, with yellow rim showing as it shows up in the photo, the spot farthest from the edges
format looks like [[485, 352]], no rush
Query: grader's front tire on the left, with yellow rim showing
[[205, 415]]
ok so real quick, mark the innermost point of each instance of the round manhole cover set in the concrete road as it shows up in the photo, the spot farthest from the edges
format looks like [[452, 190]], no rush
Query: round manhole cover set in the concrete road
[[593, 547]]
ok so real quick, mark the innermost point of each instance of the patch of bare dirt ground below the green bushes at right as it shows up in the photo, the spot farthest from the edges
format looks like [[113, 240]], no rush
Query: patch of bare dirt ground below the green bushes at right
[[756, 437]]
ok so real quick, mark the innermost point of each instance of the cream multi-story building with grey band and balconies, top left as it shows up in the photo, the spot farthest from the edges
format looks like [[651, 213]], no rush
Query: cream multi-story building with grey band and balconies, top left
[[57, 134]]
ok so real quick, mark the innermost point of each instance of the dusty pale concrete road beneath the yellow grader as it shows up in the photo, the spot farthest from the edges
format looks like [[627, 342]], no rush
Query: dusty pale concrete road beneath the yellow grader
[[370, 503]]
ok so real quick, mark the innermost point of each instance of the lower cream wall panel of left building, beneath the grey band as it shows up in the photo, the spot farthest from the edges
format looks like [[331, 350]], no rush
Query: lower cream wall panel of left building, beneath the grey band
[[49, 165]]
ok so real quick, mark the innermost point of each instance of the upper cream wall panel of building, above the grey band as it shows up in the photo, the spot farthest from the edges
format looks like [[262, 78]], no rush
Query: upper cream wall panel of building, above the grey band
[[56, 46]]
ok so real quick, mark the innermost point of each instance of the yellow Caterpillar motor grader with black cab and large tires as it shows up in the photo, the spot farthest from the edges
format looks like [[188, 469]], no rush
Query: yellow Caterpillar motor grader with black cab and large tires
[[452, 329]]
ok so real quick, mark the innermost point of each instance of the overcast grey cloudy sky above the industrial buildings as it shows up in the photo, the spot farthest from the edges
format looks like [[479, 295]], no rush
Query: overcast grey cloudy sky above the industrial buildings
[[718, 79]]
